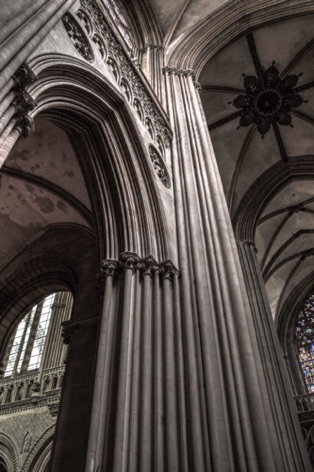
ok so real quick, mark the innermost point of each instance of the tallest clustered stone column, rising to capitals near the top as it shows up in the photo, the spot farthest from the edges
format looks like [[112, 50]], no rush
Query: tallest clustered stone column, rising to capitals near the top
[[228, 403]]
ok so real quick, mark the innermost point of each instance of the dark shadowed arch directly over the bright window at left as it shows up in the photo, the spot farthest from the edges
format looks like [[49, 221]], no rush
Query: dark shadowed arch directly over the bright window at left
[[31, 274]]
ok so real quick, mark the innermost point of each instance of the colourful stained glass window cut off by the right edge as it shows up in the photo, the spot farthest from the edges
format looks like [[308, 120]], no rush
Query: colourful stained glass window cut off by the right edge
[[305, 341]]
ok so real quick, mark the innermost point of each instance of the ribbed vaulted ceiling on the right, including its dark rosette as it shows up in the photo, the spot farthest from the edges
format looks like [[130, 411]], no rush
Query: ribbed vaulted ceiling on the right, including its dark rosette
[[258, 97]]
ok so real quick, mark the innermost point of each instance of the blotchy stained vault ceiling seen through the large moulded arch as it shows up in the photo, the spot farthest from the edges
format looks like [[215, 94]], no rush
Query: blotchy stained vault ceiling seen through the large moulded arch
[[35, 194]]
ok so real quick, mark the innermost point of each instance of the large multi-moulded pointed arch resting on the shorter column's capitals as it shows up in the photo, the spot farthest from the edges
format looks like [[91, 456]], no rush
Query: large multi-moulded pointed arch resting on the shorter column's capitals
[[95, 114]]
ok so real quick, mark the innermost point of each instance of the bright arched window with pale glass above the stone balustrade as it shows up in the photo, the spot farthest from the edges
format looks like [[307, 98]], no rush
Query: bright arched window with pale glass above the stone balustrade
[[26, 347]]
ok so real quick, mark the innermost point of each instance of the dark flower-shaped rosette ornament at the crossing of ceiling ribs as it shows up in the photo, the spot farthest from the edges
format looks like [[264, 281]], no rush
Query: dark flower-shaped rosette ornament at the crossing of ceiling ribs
[[268, 99]]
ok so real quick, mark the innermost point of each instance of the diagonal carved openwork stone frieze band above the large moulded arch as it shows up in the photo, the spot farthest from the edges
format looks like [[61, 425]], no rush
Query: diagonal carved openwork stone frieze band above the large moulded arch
[[122, 66]]
